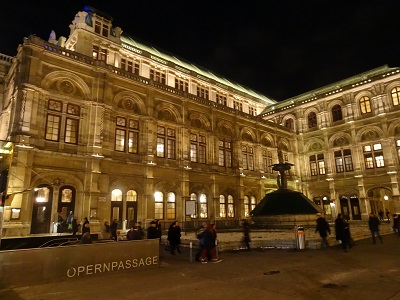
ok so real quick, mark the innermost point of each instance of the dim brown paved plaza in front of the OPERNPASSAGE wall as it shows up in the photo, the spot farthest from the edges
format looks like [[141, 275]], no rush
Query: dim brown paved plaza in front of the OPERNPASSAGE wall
[[367, 271]]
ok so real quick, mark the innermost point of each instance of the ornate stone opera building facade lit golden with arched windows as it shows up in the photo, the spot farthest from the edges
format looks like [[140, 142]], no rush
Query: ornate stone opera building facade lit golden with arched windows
[[110, 128]]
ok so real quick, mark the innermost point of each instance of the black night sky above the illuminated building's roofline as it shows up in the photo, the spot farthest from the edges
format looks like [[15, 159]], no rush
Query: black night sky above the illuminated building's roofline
[[279, 48]]
